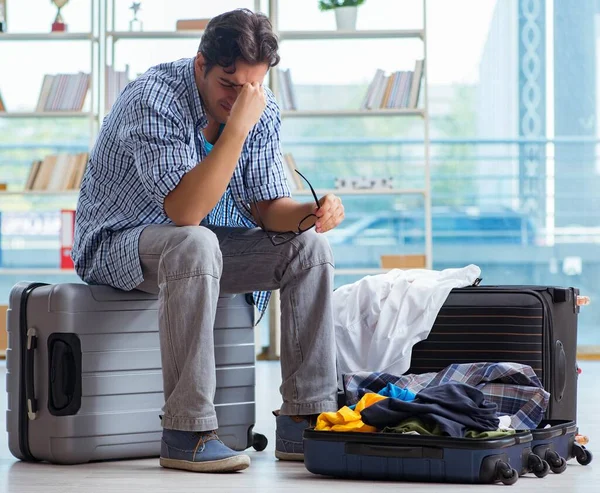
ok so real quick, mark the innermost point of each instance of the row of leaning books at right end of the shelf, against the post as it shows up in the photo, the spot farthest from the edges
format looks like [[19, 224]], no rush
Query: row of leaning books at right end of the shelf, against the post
[[397, 90]]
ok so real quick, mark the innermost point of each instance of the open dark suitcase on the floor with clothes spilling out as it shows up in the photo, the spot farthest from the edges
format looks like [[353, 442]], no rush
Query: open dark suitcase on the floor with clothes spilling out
[[532, 325]]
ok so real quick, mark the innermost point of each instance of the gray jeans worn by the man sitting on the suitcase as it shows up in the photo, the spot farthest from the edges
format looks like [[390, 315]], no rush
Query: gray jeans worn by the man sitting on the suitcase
[[188, 267]]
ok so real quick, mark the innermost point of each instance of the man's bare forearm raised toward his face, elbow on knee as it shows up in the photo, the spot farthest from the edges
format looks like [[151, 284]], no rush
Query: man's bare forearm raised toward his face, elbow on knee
[[201, 188]]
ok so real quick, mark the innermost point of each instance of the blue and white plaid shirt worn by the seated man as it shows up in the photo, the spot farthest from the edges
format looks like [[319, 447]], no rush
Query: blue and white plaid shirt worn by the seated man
[[150, 139]]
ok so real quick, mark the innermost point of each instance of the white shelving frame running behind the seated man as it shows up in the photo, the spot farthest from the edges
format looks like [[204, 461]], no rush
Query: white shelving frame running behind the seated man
[[105, 35]]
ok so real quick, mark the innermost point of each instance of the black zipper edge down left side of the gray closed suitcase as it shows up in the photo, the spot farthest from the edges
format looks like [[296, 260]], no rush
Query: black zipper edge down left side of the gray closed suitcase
[[27, 406]]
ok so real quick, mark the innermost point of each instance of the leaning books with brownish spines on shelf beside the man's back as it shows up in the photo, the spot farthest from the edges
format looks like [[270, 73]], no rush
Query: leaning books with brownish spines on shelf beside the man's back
[[57, 172]]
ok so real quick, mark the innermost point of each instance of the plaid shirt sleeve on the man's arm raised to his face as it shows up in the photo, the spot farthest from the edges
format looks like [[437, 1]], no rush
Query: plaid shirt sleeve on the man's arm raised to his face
[[159, 142]]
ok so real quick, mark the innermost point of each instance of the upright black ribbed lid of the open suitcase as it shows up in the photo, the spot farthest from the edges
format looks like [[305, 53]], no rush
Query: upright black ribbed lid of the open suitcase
[[532, 325]]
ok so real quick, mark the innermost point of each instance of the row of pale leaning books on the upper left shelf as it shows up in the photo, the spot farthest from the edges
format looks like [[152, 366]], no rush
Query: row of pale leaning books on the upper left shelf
[[63, 92]]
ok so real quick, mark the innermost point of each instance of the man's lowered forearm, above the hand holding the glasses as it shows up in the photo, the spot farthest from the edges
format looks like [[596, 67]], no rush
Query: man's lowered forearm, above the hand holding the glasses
[[285, 214]]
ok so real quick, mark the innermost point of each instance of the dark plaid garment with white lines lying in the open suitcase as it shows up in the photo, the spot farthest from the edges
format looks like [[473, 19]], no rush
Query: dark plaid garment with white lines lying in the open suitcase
[[515, 388]]
